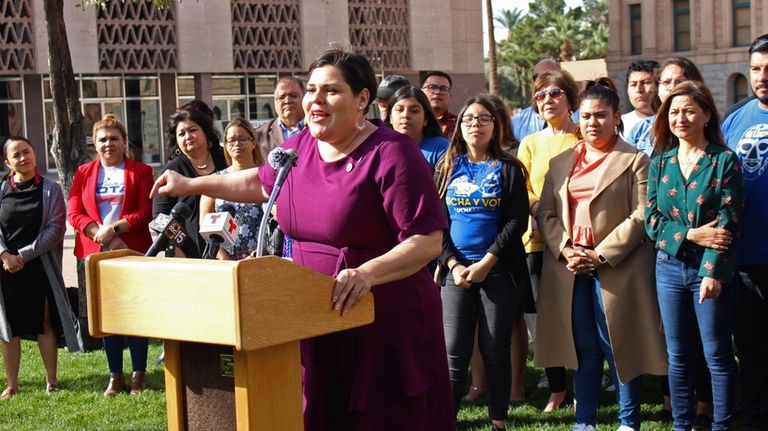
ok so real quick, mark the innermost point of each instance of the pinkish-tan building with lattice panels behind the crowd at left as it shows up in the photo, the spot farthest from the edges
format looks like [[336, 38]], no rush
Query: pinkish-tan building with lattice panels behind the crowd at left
[[140, 63]]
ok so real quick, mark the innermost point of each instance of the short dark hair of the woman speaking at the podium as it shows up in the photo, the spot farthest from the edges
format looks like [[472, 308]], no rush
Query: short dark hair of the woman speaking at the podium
[[355, 69]]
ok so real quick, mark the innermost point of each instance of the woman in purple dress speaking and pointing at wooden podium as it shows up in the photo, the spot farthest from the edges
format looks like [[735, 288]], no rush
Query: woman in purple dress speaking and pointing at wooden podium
[[361, 206]]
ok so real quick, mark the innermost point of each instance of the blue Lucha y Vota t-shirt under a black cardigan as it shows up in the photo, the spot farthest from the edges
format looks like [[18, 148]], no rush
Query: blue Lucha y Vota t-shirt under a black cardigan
[[473, 198]]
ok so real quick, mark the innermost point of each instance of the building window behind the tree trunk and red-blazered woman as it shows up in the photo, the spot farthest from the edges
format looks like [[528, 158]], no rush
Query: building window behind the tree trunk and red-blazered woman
[[134, 100]]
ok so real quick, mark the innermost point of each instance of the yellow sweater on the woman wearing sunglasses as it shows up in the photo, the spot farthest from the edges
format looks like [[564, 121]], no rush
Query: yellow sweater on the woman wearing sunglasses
[[535, 152]]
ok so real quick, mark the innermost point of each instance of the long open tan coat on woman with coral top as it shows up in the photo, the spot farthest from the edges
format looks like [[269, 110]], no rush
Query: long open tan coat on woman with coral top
[[627, 279]]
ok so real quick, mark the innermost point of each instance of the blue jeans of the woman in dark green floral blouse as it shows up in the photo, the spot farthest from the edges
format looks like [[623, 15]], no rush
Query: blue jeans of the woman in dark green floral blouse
[[677, 287]]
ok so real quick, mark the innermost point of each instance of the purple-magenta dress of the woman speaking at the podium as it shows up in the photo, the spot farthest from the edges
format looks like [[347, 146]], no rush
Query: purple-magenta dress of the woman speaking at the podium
[[393, 373]]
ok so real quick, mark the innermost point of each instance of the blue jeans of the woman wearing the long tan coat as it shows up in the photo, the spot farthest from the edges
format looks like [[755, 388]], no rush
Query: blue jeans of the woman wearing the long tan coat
[[593, 345]]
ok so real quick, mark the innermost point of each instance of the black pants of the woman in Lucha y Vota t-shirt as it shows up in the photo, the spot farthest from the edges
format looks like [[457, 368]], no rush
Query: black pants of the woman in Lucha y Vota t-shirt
[[491, 305]]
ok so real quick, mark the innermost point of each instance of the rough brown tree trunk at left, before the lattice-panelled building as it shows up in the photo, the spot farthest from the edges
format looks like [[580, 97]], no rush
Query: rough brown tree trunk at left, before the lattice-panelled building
[[68, 149]]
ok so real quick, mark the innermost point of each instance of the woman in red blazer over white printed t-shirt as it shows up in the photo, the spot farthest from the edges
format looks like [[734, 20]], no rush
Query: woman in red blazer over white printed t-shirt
[[110, 209]]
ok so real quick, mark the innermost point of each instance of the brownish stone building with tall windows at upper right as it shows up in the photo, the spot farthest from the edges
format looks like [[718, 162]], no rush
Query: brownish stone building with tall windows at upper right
[[714, 34]]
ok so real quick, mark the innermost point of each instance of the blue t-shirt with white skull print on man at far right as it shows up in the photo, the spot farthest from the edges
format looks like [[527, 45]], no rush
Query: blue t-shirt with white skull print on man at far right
[[746, 132]]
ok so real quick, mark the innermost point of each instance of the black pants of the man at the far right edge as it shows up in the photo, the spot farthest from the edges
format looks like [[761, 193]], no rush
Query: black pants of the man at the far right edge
[[751, 337]]
